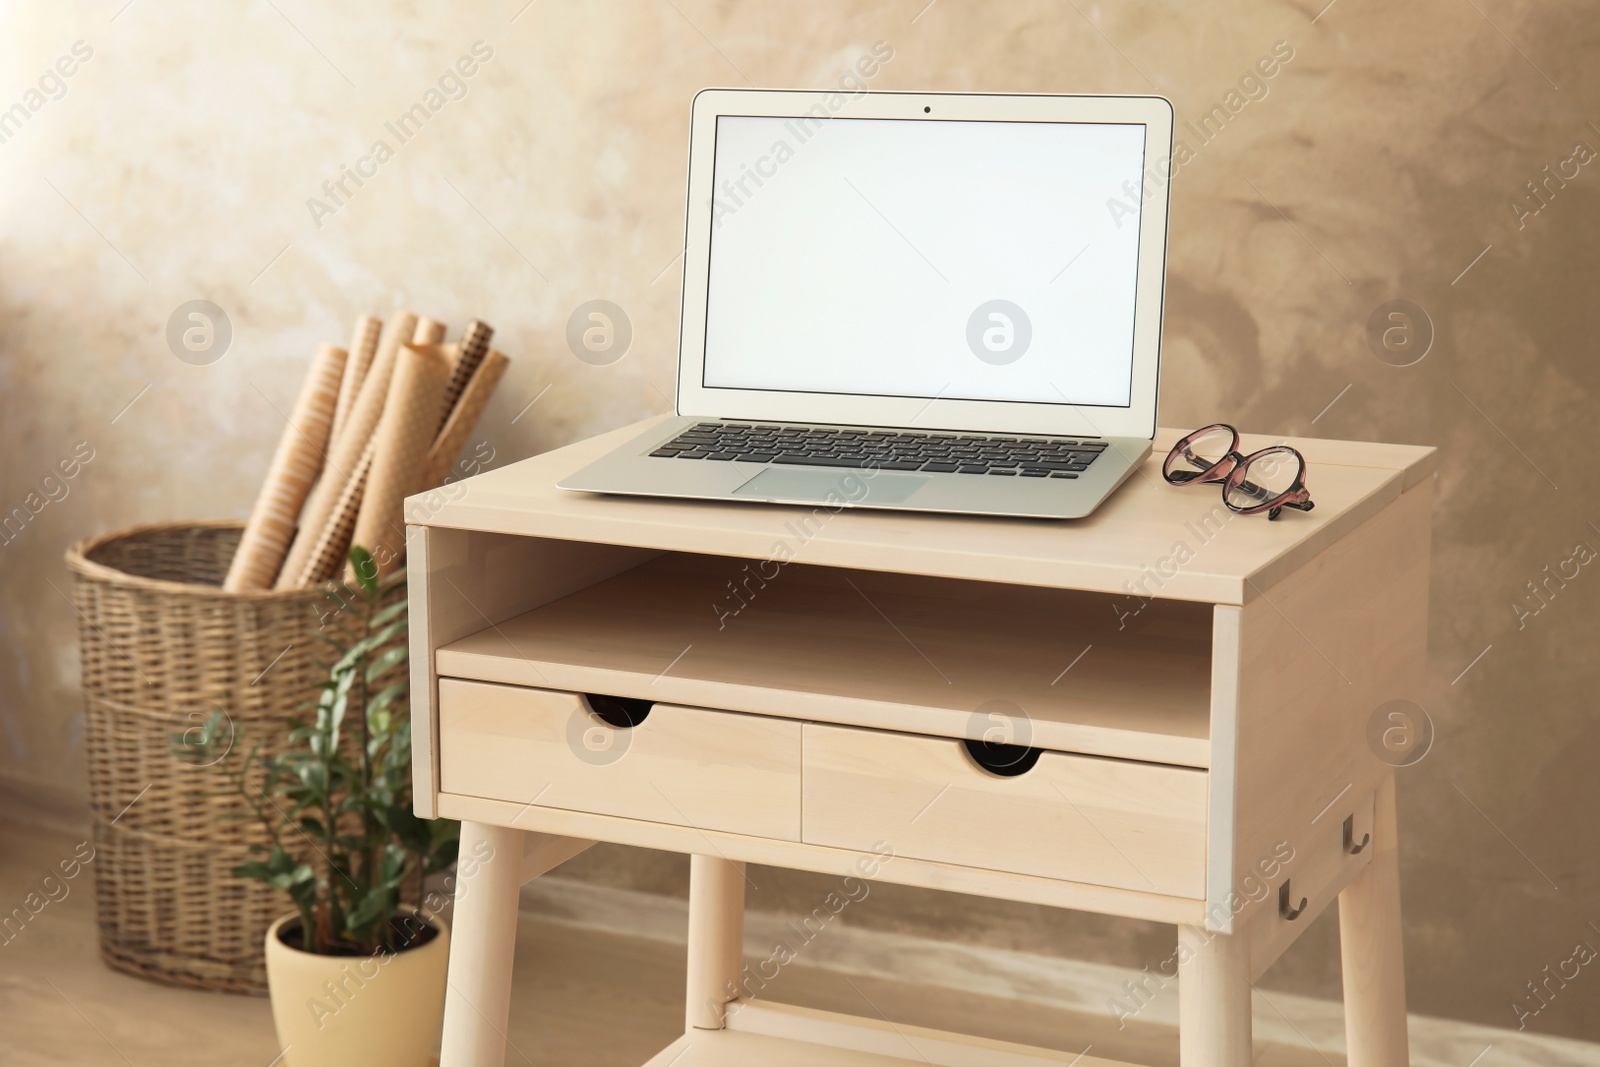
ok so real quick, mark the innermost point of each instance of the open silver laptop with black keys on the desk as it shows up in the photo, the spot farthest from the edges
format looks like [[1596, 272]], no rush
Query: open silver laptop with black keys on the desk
[[922, 302]]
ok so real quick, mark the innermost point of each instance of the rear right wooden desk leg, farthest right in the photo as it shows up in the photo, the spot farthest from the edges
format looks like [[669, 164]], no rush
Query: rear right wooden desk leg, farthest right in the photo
[[1375, 1028]]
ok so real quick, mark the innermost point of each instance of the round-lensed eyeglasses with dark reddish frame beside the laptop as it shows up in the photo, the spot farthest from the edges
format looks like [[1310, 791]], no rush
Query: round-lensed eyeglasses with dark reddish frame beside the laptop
[[1266, 481]]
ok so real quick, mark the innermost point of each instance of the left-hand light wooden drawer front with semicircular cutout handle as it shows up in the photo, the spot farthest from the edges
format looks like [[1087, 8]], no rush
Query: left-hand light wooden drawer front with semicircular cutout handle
[[681, 765]]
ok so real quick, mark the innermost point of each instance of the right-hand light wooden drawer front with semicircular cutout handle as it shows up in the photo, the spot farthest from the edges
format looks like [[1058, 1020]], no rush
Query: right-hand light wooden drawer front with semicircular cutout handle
[[1113, 823]]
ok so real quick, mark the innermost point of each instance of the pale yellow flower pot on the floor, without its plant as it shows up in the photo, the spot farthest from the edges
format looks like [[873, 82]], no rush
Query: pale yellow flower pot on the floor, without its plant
[[337, 1012]]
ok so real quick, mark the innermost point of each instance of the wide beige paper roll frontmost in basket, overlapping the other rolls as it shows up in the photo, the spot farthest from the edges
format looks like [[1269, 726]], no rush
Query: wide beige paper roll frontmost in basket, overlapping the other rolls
[[401, 452]]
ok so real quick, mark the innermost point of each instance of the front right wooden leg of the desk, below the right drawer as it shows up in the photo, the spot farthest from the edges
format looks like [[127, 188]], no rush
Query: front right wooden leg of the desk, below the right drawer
[[1214, 999]]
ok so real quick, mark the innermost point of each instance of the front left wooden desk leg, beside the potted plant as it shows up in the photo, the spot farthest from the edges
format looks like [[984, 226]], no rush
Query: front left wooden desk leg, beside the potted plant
[[482, 945]]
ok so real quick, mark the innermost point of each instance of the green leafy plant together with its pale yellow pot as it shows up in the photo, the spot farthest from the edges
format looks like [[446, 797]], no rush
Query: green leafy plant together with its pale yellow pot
[[358, 972]]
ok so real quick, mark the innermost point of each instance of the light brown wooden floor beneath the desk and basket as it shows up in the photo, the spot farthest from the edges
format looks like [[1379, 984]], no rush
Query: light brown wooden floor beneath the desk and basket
[[583, 999]]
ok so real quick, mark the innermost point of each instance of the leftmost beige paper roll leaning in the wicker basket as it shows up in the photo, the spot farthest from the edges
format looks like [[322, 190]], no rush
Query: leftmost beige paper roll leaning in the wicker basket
[[295, 468]]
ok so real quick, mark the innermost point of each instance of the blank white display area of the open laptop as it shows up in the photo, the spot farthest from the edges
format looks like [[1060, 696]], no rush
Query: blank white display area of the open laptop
[[926, 258]]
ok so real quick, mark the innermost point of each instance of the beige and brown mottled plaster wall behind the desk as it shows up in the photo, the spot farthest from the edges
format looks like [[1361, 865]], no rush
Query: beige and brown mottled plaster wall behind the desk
[[1382, 162]]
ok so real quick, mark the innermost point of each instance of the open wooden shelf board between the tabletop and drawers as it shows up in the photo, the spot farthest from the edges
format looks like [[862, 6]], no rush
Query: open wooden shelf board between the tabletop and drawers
[[1057, 669]]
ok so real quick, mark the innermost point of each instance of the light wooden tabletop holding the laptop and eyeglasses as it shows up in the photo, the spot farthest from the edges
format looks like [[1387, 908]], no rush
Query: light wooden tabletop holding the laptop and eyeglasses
[[1148, 538]]
